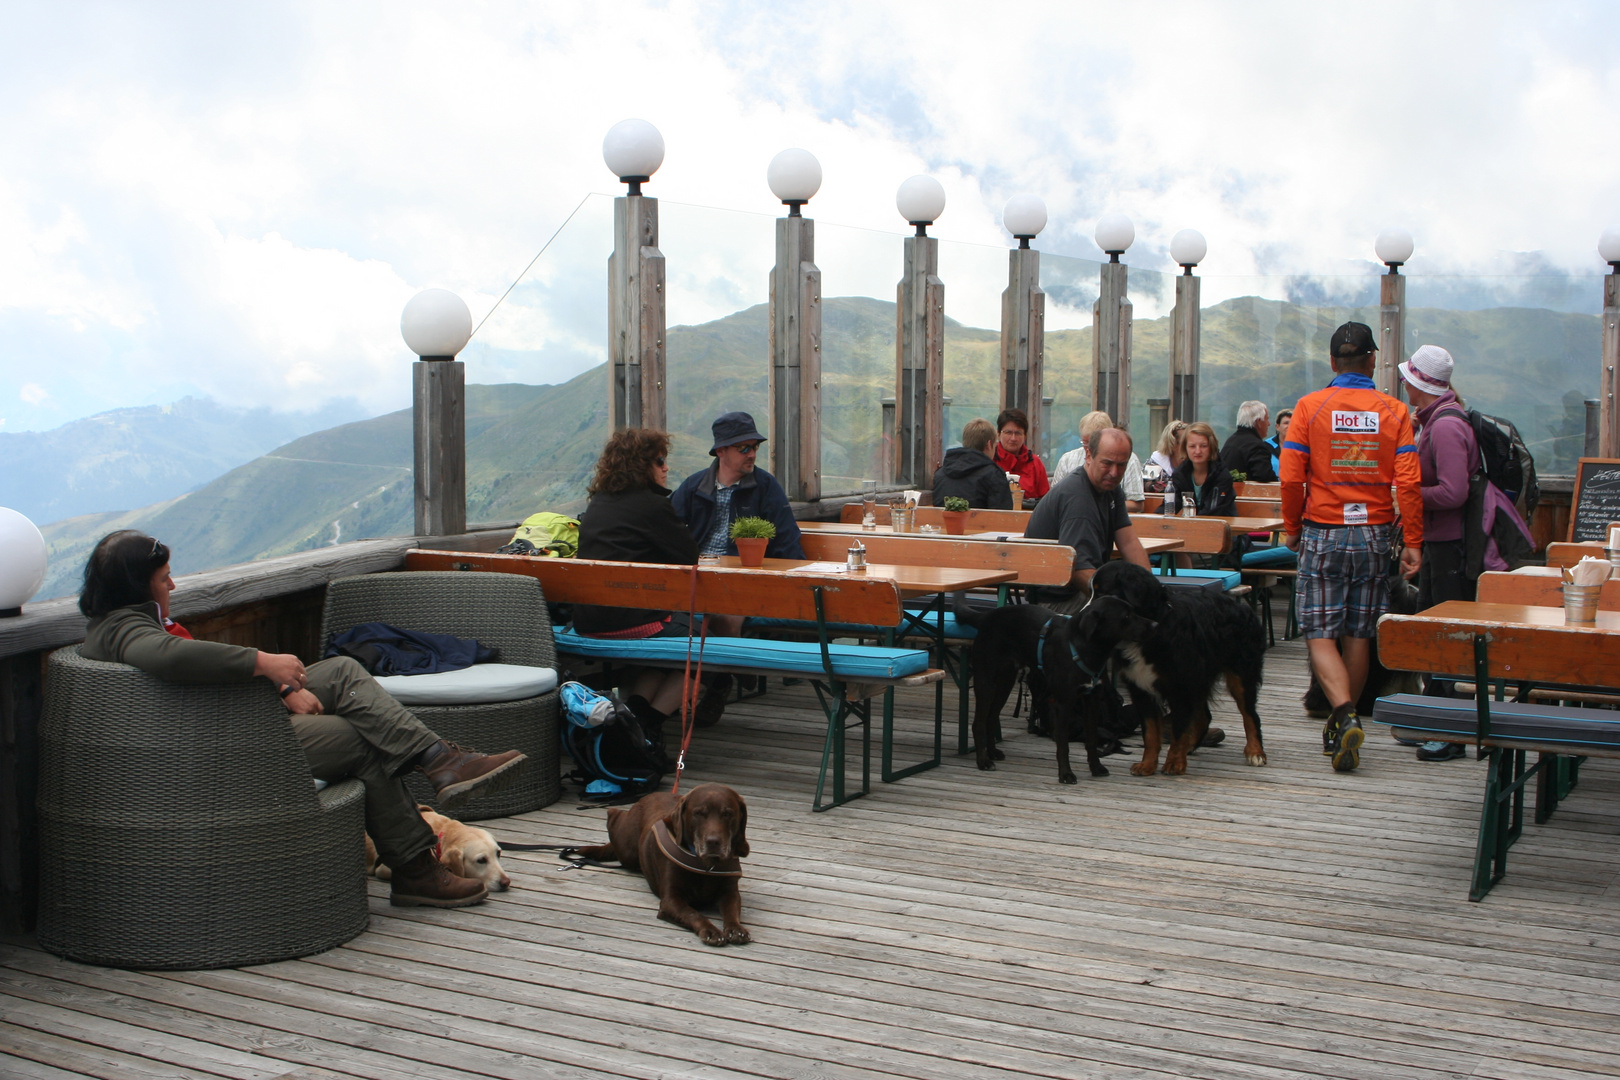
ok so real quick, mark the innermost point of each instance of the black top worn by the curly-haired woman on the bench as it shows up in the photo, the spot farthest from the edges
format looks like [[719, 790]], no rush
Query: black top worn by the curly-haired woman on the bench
[[631, 527]]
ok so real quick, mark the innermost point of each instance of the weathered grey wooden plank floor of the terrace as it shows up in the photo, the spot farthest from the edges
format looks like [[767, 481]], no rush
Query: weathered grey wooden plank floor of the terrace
[[1237, 924]]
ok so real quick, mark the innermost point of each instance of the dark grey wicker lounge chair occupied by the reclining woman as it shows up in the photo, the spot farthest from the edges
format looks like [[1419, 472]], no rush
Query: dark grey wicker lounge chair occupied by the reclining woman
[[181, 828]]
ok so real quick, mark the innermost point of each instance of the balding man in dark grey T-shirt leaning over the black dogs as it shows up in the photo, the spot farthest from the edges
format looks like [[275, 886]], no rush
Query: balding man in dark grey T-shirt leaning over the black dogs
[[1086, 511]]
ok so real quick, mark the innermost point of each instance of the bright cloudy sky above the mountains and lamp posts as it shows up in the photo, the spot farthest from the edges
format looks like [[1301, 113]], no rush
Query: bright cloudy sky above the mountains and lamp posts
[[237, 200]]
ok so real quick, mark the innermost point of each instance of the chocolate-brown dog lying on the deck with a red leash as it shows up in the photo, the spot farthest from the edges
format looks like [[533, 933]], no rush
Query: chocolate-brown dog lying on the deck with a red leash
[[688, 849]]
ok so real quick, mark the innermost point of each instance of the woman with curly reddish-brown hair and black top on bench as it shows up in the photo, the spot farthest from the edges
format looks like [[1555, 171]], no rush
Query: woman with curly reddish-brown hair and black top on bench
[[629, 519]]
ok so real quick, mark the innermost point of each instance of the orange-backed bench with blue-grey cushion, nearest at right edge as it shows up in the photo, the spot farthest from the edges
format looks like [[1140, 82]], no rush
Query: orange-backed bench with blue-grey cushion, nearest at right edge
[[1561, 736]]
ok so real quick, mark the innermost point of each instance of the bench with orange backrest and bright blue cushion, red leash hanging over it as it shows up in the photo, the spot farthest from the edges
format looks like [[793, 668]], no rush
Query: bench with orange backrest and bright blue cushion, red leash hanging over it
[[846, 678]]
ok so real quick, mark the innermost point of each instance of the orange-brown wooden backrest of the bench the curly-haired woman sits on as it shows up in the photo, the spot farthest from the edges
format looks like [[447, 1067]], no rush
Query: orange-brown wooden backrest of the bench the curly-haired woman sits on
[[720, 590]]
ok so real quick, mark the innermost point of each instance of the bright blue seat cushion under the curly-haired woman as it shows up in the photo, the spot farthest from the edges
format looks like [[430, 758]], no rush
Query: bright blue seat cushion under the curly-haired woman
[[850, 661]]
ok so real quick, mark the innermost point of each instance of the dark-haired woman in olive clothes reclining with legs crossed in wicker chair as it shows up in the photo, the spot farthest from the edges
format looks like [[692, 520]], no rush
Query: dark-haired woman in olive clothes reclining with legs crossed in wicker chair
[[347, 725]]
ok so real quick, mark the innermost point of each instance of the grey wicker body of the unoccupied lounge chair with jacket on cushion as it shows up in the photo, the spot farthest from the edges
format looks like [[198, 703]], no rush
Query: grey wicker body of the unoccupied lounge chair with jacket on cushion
[[503, 611]]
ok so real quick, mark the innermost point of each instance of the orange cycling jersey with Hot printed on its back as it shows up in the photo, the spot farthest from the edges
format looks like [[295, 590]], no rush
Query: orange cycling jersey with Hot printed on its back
[[1349, 444]]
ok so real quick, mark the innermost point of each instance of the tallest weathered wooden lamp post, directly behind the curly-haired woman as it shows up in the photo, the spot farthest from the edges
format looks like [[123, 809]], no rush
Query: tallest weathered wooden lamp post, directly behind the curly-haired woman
[[636, 317]]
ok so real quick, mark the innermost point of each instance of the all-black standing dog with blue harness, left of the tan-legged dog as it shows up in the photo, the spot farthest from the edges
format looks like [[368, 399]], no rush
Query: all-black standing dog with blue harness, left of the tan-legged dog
[[1065, 660]]
